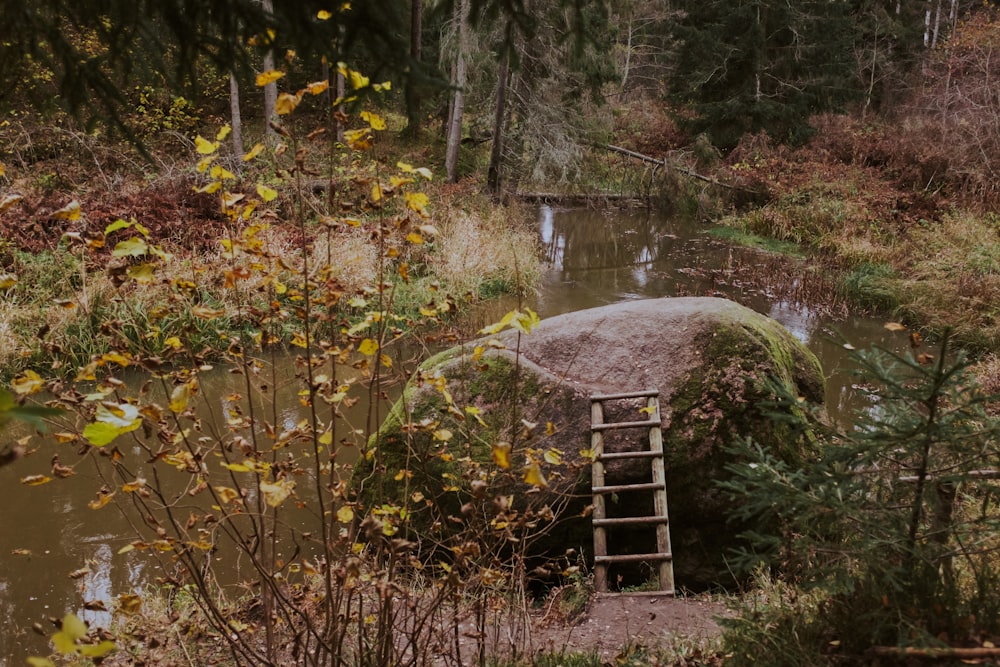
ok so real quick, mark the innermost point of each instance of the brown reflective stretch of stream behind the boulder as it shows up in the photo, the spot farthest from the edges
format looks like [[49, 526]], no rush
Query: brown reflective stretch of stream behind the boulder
[[601, 257]]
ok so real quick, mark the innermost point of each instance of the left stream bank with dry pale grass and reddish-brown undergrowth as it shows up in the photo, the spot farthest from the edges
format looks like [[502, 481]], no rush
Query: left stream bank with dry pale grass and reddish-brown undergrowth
[[150, 265]]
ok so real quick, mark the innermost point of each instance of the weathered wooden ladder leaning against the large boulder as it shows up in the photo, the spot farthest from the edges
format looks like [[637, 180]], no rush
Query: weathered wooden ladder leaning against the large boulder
[[658, 486]]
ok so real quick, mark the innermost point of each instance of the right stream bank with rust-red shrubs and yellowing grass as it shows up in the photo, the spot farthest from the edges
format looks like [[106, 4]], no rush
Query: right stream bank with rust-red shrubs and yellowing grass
[[923, 255]]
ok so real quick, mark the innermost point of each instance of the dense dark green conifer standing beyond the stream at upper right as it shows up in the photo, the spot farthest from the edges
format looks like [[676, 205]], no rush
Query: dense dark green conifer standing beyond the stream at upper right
[[761, 65]]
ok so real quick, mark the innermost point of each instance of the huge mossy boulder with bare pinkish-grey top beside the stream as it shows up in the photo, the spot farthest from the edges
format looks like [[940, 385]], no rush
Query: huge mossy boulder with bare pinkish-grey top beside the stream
[[712, 361]]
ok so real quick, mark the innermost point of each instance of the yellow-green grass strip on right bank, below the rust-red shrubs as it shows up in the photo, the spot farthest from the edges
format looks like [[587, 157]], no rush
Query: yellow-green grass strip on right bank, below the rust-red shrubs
[[934, 274]]
